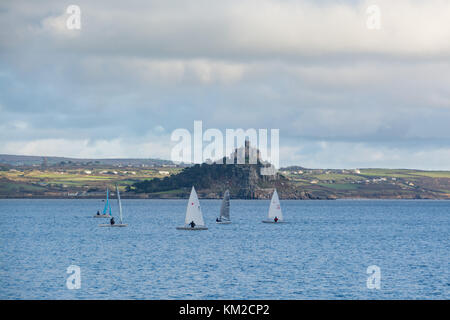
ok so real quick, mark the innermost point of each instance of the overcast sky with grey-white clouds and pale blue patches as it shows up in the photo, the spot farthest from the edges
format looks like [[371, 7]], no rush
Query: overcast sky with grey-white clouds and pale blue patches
[[342, 94]]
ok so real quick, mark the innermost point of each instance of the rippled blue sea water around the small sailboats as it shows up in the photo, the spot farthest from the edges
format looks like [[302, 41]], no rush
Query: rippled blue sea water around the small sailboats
[[322, 253]]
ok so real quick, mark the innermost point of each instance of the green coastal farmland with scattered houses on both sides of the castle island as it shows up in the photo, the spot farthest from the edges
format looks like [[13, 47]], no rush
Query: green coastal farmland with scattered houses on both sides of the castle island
[[92, 181]]
